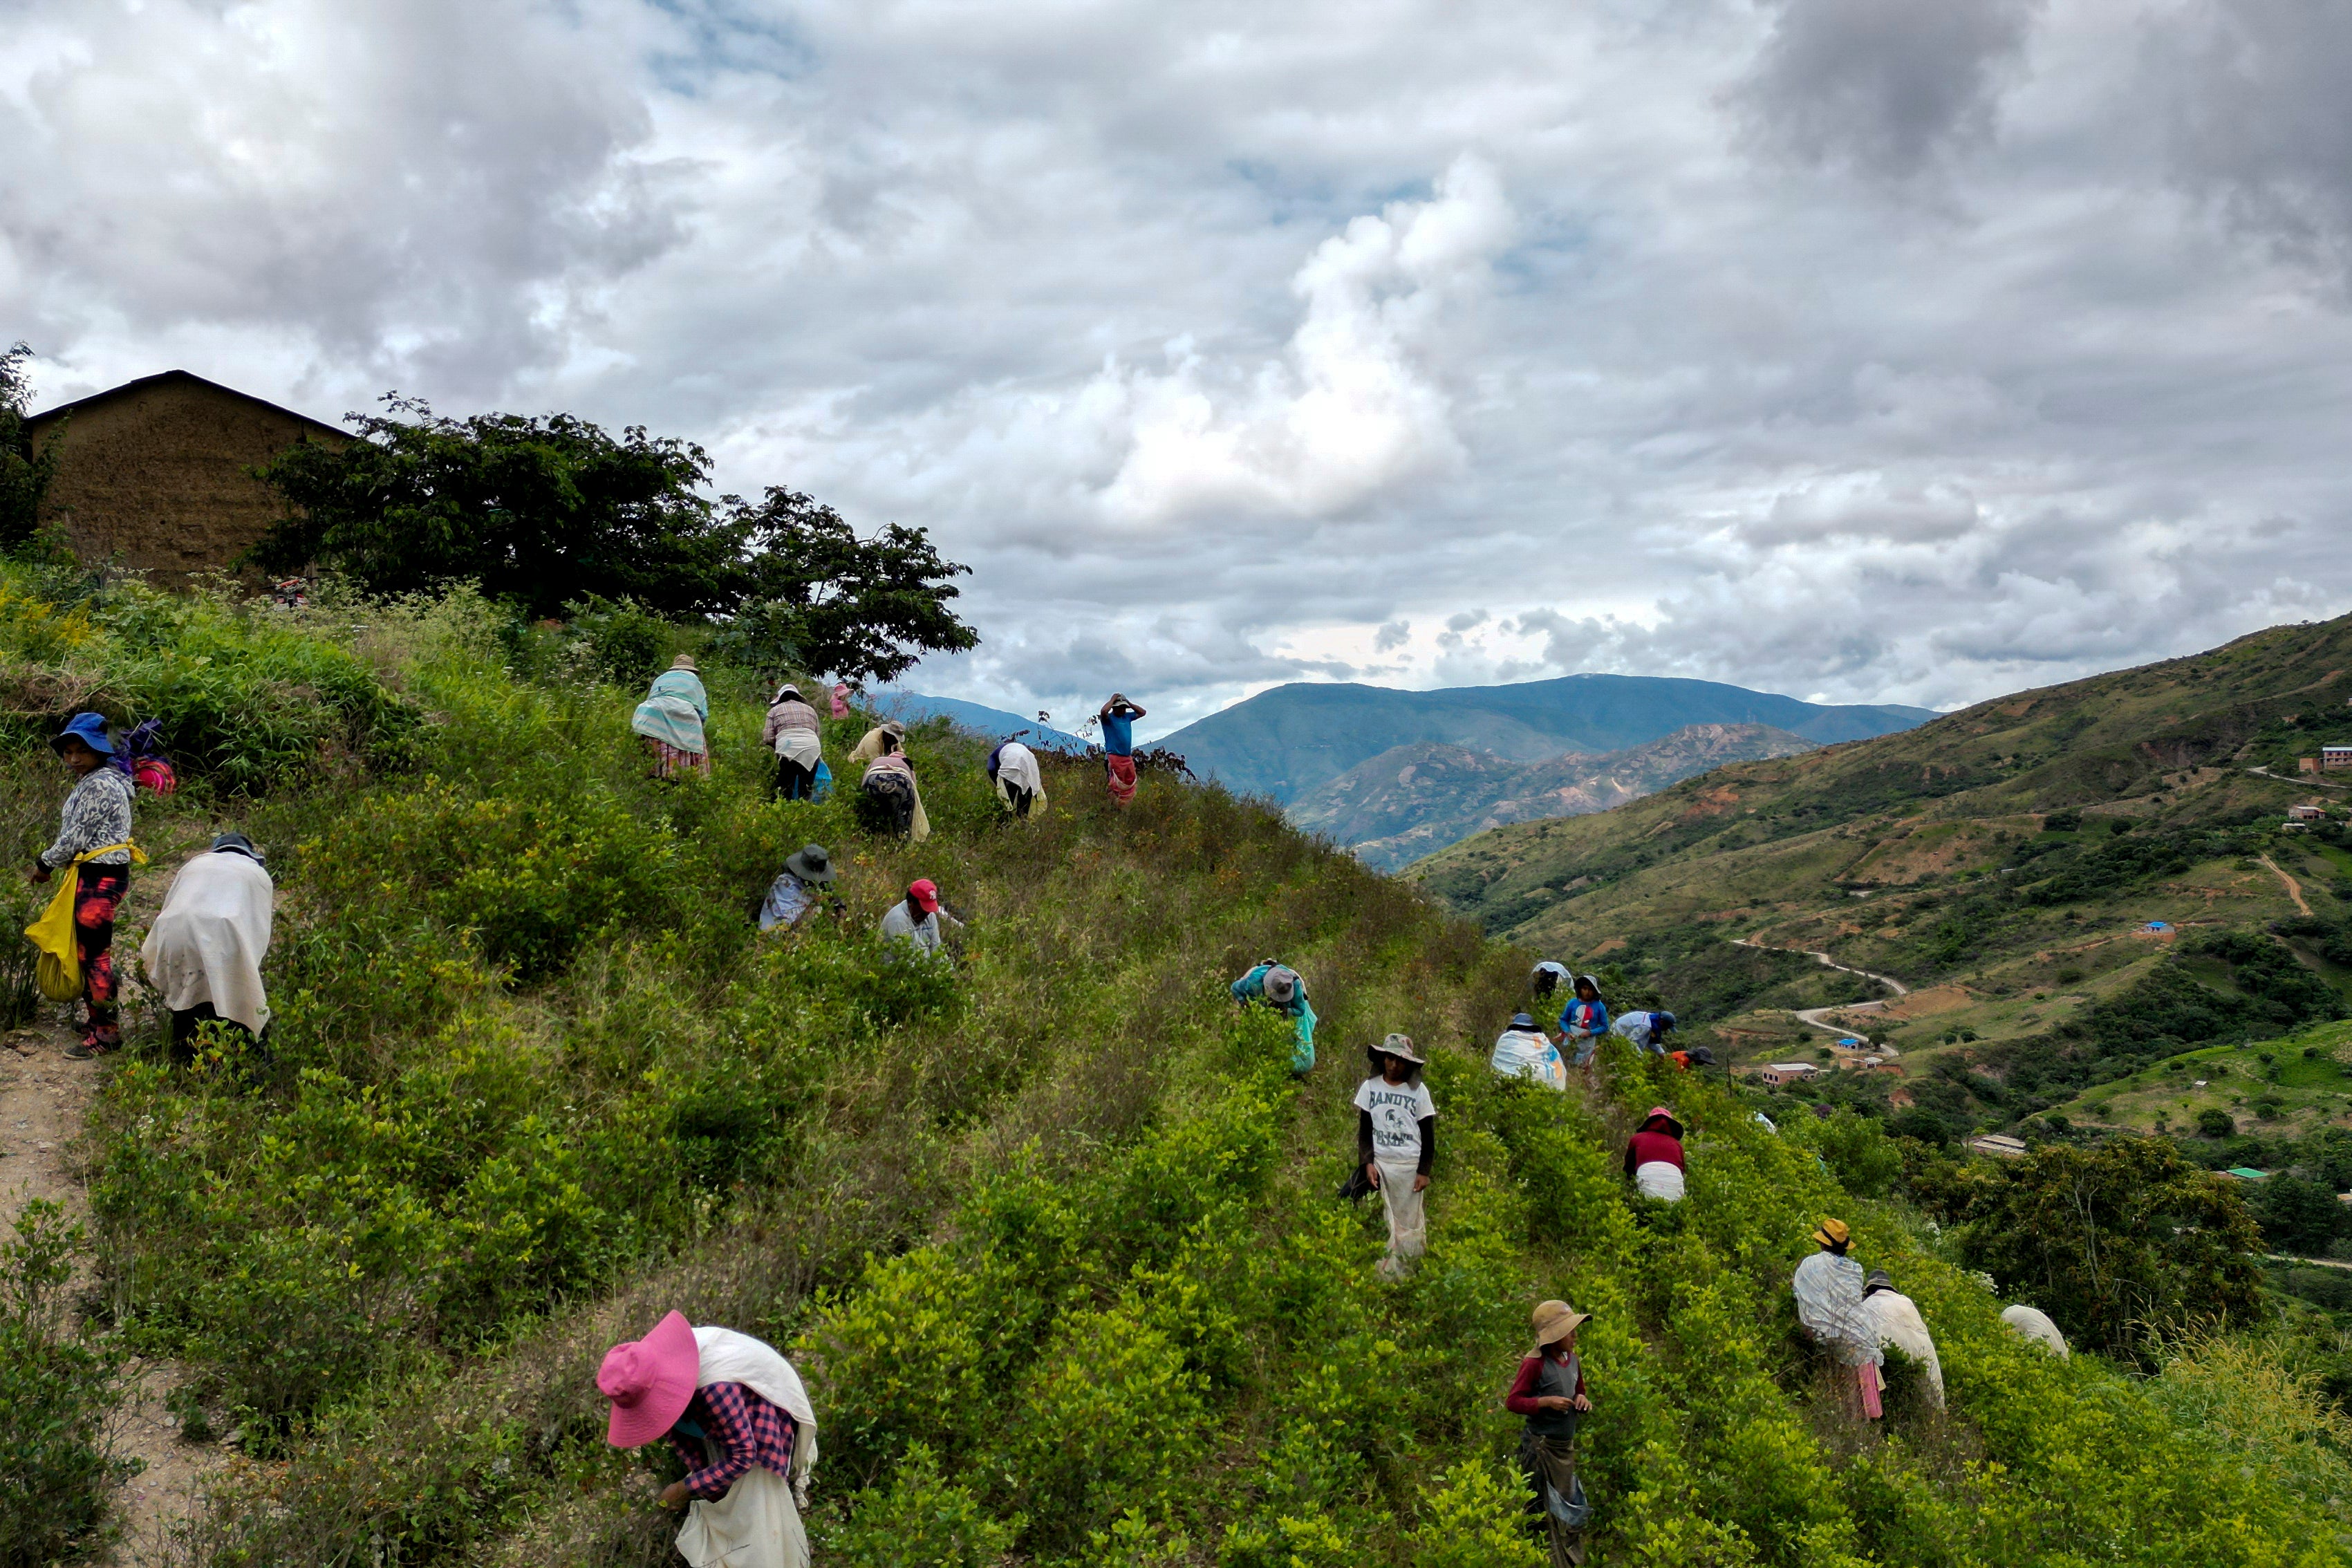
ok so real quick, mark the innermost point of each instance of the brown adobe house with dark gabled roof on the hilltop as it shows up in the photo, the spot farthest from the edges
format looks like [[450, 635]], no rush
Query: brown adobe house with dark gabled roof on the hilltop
[[154, 471]]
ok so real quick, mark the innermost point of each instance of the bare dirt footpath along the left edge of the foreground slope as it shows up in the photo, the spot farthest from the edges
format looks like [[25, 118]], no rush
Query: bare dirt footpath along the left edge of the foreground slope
[[44, 1111]]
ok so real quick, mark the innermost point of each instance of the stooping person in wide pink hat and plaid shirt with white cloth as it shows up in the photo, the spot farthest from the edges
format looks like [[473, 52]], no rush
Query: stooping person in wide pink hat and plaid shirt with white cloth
[[740, 1419]]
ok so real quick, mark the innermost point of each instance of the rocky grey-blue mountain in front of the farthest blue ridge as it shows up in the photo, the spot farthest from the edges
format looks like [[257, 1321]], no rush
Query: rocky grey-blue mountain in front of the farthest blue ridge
[[1415, 800]]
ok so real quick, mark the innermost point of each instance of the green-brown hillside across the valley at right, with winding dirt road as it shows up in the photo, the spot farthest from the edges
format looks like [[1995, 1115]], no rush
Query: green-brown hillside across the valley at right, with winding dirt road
[[2005, 864]]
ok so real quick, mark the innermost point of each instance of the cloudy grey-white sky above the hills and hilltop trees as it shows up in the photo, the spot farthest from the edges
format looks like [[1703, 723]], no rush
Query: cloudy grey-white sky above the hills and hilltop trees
[[1847, 349]]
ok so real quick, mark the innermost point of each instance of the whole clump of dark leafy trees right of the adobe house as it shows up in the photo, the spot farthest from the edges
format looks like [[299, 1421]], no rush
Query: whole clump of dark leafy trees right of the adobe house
[[554, 511]]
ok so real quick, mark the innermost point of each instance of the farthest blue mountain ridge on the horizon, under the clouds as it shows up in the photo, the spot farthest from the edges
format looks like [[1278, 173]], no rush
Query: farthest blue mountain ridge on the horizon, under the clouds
[[1299, 737]]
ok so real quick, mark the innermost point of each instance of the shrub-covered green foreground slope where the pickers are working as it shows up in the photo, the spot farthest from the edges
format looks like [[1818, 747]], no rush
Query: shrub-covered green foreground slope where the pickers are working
[[1053, 1233]]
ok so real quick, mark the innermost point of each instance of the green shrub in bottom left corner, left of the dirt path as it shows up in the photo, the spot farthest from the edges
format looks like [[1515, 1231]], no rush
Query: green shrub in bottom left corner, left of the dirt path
[[58, 1400]]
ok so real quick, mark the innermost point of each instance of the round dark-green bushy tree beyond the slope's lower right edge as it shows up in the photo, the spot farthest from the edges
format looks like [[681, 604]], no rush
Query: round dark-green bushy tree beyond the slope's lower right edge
[[2116, 1242]]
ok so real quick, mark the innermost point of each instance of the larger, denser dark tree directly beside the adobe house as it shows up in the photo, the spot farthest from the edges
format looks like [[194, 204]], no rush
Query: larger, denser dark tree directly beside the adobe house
[[537, 511]]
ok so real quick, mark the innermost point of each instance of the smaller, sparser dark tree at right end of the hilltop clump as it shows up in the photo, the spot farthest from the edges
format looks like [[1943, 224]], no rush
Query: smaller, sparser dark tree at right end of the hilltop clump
[[822, 598]]
